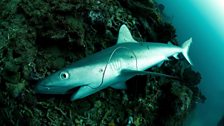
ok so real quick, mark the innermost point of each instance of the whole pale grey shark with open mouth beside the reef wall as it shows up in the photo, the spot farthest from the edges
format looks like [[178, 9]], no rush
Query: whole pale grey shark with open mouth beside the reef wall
[[110, 67]]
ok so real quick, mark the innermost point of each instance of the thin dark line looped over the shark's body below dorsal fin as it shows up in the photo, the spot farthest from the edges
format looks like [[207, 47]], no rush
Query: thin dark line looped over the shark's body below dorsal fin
[[111, 56]]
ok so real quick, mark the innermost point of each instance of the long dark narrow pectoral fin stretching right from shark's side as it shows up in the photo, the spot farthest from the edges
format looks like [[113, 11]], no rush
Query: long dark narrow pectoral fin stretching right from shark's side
[[136, 72]]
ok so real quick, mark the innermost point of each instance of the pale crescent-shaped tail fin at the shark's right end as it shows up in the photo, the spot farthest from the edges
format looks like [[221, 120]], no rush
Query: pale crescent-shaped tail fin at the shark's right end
[[185, 47]]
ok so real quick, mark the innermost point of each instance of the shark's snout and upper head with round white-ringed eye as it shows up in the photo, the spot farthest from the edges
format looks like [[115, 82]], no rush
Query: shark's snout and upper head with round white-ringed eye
[[60, 82]]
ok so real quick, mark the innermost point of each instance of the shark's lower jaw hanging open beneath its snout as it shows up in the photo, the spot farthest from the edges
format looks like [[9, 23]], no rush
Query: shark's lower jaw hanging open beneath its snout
[[83, 92]]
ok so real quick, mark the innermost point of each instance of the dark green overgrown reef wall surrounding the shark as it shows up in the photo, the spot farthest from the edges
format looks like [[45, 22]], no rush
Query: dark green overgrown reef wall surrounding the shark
[[42, 36]]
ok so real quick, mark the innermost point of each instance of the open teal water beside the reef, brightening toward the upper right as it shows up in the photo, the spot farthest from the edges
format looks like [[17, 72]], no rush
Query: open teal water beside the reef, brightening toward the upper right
[[204, 22]]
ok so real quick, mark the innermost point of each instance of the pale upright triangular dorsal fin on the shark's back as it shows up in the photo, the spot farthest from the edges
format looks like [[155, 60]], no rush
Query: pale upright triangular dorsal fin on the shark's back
[[125, 35]]
